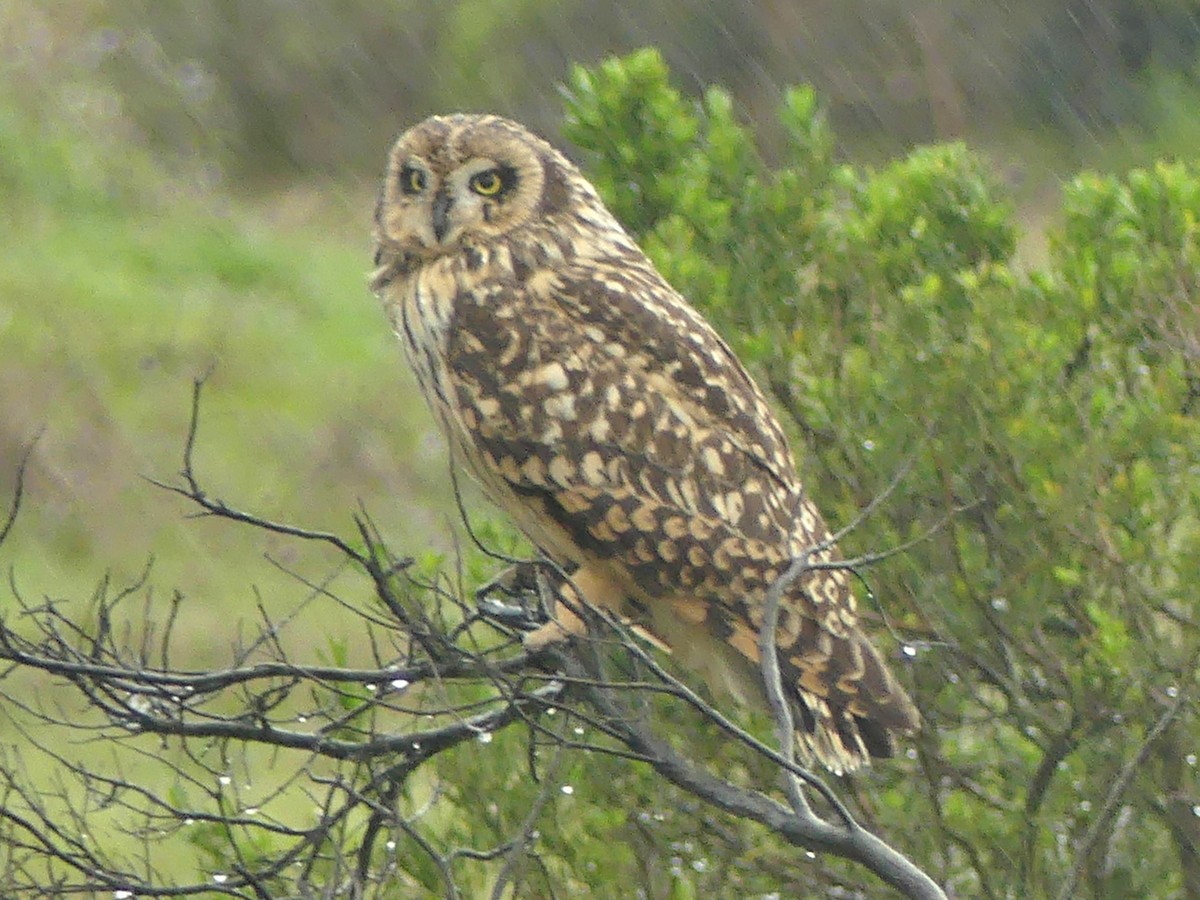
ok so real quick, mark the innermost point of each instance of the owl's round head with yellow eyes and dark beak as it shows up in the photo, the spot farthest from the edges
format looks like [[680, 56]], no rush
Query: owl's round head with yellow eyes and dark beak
[[459, 182]]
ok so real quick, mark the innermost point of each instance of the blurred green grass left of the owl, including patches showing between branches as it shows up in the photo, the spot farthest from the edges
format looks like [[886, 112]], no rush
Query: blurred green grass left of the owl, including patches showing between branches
[[122, 283]]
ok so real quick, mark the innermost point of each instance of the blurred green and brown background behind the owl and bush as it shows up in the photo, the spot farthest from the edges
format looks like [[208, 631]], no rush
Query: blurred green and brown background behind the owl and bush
[[188, 189]]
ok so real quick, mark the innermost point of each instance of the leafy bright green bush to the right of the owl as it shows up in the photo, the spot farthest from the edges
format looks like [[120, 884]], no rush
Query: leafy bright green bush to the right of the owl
[[1045, 422]]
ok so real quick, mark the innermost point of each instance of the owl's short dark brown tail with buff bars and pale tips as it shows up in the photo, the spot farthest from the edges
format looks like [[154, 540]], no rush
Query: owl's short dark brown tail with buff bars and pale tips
[[847, 704]]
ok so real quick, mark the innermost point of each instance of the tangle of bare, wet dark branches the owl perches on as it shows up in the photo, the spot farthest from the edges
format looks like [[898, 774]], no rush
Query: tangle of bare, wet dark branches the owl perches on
[[350, 740]]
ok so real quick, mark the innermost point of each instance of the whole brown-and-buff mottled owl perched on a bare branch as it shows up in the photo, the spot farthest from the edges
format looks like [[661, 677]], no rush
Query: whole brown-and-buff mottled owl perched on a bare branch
[[608, 418]]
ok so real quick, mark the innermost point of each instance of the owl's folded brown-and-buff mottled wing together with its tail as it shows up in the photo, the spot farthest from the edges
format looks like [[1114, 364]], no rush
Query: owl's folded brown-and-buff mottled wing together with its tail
[[609, 407]]
